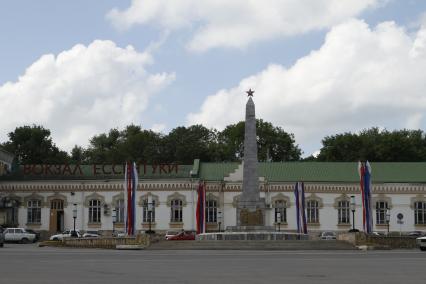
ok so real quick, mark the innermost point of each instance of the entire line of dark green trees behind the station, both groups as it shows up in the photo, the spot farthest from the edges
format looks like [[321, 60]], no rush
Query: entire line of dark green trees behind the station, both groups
[[34, 145]]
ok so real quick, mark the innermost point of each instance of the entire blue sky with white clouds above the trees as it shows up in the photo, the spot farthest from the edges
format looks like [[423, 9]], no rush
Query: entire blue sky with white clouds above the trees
[[318, 67]]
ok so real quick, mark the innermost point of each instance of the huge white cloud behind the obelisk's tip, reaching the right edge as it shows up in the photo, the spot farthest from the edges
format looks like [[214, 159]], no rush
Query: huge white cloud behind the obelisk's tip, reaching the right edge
[[359, 78]]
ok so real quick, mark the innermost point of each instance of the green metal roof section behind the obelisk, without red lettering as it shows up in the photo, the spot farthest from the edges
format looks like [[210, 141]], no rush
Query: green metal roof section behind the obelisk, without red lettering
[[323, 172]]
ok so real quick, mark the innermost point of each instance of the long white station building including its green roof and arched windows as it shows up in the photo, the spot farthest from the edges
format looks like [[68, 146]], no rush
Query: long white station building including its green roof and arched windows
[[43, 197]]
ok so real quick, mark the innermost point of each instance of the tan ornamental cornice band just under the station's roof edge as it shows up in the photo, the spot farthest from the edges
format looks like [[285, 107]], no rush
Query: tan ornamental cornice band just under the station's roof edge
[[188, 185]]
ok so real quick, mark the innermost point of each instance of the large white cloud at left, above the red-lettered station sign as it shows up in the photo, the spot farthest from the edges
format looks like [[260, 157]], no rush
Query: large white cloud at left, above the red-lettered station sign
[[81, 92]]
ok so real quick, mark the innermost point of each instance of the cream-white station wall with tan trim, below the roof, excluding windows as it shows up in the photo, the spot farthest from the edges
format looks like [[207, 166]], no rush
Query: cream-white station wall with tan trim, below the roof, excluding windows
[[399, 197]]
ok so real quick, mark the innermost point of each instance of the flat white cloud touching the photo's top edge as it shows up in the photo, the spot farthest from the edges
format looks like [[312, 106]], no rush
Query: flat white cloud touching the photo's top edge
[[238, 23]]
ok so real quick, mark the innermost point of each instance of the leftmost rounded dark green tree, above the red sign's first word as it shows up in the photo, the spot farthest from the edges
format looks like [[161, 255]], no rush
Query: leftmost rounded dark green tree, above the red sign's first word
[[33, 145]]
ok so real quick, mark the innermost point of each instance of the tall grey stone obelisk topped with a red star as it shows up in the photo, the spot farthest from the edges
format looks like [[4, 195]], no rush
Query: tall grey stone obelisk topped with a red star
[[251, 208]]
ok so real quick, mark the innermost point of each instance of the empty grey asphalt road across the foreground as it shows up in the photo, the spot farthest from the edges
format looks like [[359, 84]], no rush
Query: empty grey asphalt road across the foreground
[[20, 263]]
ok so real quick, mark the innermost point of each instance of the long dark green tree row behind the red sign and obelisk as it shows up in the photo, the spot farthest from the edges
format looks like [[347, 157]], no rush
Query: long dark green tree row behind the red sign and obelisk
[[33, 144]]
